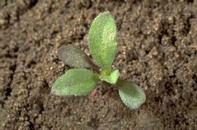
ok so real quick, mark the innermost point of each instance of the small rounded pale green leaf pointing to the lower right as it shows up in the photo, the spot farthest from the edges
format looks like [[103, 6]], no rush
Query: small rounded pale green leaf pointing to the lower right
[[131, 94]]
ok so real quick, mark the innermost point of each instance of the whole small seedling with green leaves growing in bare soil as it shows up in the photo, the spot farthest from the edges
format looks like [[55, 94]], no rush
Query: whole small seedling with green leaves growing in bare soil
[[103, 46]]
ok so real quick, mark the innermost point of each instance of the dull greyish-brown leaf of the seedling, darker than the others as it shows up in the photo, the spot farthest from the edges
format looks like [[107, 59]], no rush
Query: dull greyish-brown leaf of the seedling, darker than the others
[[73, 57]]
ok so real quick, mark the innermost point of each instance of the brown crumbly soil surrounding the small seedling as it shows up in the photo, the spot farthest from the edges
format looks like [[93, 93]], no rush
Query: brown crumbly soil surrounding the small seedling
[[157, 43]]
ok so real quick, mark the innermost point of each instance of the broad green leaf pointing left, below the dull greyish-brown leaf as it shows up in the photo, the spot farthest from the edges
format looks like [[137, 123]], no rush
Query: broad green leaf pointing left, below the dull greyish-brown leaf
[[74, 82]]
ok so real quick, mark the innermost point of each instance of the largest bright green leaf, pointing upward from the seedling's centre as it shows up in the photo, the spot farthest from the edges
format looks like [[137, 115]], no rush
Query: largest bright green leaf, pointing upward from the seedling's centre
[[102, 40]]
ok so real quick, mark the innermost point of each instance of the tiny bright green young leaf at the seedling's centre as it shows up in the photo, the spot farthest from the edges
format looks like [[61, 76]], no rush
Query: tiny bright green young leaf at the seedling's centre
[[112, 78]]
